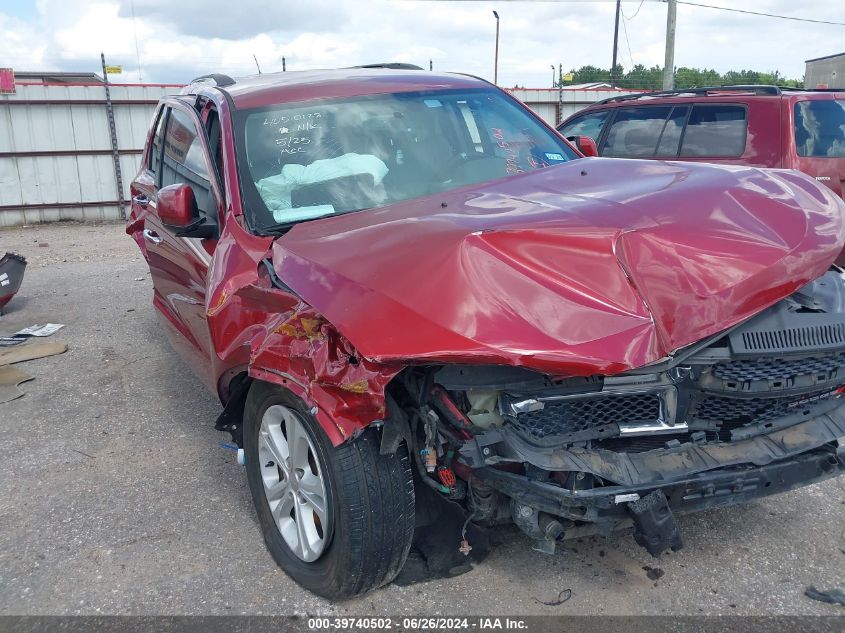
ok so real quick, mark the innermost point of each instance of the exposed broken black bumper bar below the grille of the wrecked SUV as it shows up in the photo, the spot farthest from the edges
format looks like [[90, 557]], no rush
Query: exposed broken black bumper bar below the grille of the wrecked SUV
[[653, 487]]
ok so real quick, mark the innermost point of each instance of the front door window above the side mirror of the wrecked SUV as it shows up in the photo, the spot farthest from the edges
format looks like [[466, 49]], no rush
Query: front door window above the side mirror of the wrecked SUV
[[184, 159]]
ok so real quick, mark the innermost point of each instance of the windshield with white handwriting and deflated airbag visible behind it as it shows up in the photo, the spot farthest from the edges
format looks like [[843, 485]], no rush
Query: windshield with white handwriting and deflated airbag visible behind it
[[311, 160]]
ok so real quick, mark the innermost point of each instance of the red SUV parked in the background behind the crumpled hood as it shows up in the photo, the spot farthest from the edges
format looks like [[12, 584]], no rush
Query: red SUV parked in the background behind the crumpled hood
[[761, 126]]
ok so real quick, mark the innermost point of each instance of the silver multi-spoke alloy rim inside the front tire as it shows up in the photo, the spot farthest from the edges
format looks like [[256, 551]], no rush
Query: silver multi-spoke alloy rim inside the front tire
[[294, 485]]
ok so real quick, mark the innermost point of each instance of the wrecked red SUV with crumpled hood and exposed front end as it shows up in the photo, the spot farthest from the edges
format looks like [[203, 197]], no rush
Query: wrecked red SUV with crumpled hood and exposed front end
[[426, 314]]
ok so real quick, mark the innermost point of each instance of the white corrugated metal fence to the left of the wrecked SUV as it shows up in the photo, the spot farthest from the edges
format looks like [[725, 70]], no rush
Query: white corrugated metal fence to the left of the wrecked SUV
[[55, 149]]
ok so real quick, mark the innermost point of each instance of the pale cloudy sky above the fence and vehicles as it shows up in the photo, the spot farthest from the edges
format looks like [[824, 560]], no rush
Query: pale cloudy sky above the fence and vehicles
[[177, 40]]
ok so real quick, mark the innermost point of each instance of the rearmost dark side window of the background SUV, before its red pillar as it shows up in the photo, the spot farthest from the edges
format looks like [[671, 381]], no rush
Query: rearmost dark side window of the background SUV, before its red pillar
[[715, 131]]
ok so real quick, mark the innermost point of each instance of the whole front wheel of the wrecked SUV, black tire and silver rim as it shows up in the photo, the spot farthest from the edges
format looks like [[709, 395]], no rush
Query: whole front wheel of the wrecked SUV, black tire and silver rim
[[338, 520]]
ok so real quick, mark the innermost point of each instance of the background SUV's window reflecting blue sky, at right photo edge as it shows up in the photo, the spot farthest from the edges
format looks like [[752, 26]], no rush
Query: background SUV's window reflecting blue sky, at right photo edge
[[820, 128]]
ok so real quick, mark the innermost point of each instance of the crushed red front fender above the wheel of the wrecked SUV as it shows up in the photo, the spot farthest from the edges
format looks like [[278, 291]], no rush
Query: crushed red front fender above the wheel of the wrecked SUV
[[260, 326]]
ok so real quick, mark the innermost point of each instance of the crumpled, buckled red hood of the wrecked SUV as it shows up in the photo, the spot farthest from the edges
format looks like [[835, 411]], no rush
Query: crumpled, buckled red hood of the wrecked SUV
[[595, 266]]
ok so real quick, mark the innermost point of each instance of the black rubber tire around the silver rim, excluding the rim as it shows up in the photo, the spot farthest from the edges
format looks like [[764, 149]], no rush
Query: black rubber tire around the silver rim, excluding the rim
[[370, 497]]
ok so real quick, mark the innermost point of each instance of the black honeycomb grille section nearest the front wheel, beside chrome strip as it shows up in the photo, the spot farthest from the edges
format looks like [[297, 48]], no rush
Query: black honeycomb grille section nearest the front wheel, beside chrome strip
[[575, 416]]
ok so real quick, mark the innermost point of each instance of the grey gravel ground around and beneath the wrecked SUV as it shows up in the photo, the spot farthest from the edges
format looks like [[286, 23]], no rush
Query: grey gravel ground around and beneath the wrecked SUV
[[117, 498]]
